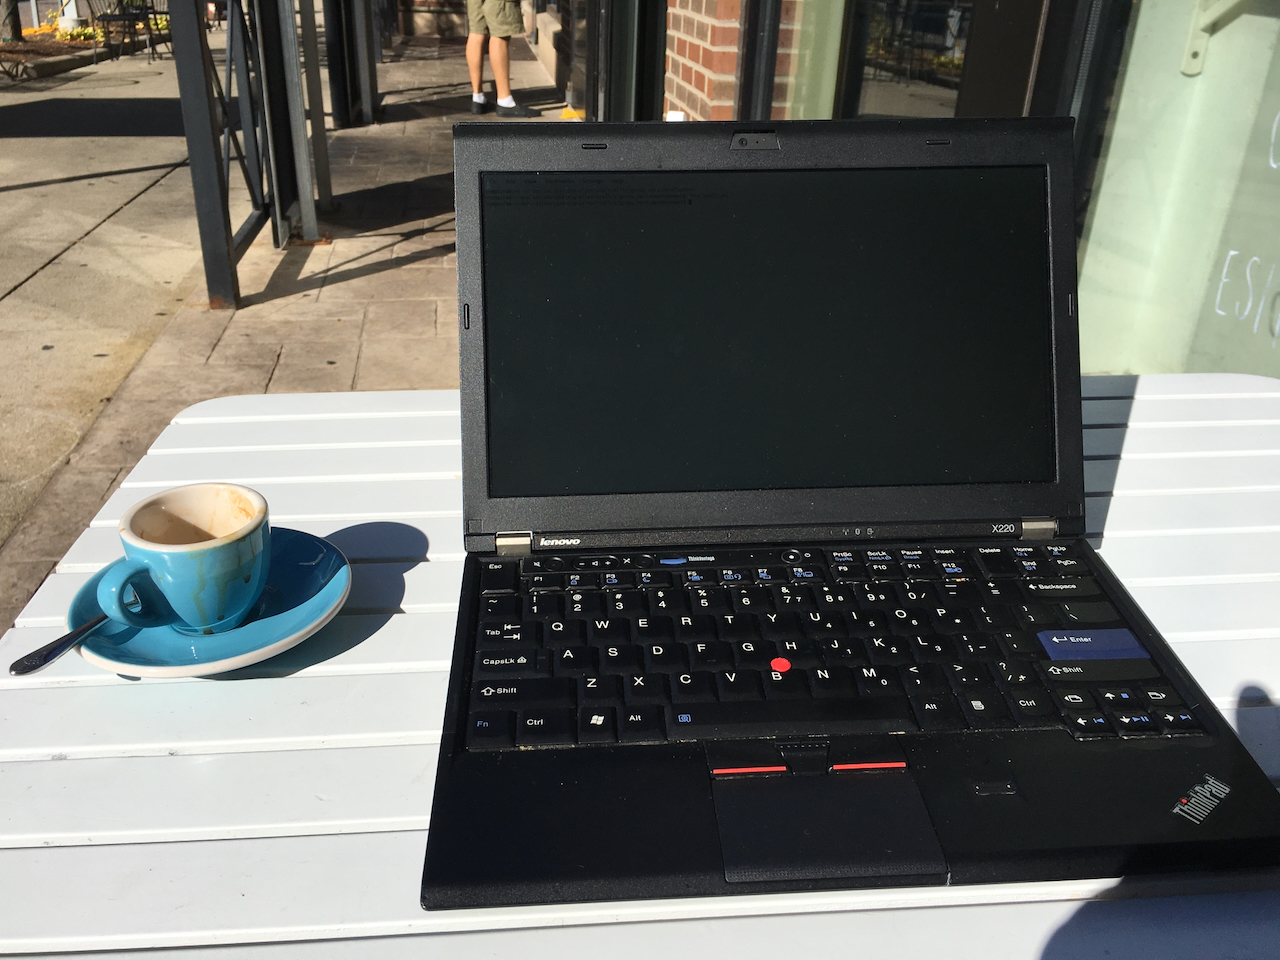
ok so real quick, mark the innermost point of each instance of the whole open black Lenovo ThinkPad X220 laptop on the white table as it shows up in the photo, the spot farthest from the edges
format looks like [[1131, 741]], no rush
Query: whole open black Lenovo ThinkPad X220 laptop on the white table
[[775, 508]]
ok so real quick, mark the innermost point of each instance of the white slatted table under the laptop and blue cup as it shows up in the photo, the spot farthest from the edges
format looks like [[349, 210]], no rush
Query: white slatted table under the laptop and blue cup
[[289, 810]]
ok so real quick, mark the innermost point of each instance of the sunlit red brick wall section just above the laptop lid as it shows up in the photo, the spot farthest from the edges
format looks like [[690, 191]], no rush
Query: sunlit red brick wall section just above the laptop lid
[[702, 58]]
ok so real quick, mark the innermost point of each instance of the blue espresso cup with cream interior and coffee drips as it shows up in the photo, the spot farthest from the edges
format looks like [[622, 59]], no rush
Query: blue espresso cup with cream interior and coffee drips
[[195, 559]]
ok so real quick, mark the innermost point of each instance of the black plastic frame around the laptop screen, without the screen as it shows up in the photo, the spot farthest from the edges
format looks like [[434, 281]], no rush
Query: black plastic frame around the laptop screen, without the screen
[[619, 520]]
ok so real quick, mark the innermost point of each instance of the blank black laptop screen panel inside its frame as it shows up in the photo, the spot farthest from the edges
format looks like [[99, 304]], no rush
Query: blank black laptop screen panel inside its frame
[[779, 330]]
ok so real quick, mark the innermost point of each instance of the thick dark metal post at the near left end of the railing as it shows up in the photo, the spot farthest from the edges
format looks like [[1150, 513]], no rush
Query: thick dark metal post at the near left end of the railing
[[203, 124]]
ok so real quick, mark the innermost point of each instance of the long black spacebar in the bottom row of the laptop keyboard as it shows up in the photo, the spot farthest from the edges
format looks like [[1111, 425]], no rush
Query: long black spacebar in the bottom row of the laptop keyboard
[[753, 719]]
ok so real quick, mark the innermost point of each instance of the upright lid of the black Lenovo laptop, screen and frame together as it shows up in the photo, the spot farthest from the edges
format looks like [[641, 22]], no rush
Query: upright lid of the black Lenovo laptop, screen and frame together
[[726, 333]]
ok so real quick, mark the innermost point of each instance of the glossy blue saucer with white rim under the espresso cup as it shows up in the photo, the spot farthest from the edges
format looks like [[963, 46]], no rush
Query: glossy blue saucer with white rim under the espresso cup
[[308, 584]]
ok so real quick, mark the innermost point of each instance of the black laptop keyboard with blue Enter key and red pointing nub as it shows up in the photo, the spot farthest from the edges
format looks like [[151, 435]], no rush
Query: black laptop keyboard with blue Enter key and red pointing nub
[[655, 648]]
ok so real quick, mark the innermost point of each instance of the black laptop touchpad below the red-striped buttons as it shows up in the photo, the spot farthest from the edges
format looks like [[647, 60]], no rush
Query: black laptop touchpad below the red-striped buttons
[[826, 828]]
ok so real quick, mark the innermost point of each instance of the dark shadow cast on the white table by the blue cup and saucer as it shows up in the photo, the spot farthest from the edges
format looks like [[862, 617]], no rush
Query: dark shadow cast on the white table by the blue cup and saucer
[[381, 555]]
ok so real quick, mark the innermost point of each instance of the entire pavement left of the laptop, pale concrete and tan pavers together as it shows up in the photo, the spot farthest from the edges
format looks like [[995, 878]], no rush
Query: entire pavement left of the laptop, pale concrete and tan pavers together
[[374, 308]]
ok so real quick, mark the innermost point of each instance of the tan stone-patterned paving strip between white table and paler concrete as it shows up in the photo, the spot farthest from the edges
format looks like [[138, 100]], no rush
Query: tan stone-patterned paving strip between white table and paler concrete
[[374, 309]]
